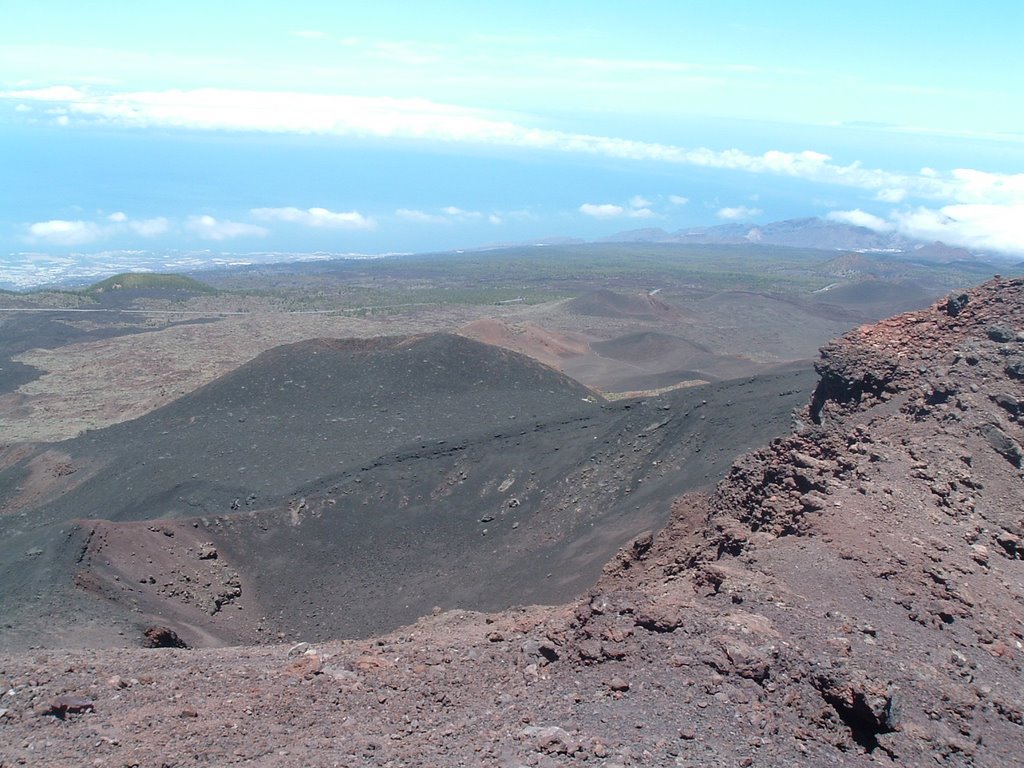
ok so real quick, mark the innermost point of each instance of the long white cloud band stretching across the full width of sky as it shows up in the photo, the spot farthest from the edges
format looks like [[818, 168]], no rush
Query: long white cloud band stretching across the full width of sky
[[418, 119]]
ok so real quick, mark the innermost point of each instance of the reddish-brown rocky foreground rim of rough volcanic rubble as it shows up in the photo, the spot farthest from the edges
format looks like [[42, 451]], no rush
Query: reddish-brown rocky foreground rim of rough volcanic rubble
[[850, 595]]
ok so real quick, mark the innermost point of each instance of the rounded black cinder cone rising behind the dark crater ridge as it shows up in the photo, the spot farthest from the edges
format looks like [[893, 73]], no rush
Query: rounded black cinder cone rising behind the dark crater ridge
[[304, 411]]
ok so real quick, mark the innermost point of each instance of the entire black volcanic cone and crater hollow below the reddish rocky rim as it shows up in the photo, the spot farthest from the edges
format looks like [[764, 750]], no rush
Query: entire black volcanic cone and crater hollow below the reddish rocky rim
[[350, 487]]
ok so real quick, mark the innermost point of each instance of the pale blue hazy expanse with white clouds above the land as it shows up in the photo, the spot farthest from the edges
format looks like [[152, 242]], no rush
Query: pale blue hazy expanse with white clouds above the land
[[195, 132]]
